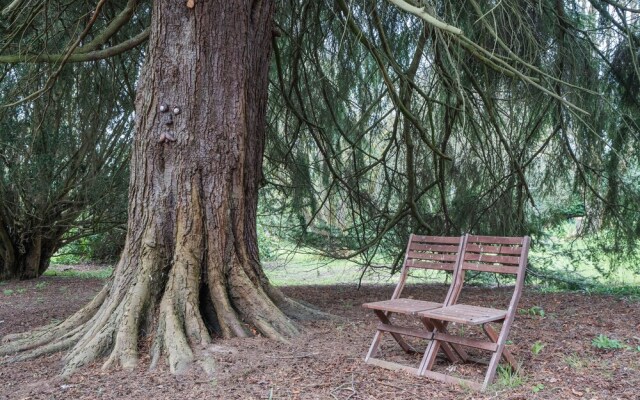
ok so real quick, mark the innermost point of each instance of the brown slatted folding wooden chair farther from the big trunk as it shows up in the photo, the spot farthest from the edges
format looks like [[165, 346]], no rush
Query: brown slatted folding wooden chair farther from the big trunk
[[500, 255]]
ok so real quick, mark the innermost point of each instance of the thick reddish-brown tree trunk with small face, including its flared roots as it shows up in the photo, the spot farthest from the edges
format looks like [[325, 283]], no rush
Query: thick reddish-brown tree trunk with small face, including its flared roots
[[190, 266]]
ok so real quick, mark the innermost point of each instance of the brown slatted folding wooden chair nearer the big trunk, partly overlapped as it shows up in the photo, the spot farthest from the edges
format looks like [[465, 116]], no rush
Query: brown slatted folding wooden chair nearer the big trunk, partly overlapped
[[423, 252]]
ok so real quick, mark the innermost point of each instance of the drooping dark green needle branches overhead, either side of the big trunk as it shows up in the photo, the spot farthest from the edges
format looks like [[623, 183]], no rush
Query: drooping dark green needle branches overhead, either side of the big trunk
[[392, 117]]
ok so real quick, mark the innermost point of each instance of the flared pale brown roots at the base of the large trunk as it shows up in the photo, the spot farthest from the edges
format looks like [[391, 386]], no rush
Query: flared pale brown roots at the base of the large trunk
[[128, 307]]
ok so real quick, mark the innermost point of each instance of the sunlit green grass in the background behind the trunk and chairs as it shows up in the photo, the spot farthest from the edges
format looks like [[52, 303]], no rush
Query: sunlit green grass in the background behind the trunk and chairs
[[289, 265]]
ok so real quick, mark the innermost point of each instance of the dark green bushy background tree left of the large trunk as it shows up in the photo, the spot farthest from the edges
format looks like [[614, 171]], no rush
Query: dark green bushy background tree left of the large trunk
[[64, 160]]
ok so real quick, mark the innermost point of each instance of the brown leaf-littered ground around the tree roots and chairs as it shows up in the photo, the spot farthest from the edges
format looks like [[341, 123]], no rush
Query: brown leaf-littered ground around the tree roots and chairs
[[551, 337]]
